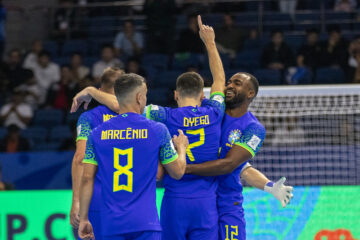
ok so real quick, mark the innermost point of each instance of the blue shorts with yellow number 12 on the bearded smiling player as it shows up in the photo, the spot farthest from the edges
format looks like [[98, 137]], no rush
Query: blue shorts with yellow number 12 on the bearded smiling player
[[232, 223]]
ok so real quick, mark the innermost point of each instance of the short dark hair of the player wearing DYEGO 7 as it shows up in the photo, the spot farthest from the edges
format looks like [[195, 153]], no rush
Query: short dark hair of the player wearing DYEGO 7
[[189, 84]]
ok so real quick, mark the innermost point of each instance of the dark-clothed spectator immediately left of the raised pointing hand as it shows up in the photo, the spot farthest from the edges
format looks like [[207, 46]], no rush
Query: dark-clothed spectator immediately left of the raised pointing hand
[[189, 39]]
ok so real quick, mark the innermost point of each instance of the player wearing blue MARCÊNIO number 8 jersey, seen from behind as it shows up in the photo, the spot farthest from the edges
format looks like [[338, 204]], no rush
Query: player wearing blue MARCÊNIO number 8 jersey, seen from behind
[[125, 151]]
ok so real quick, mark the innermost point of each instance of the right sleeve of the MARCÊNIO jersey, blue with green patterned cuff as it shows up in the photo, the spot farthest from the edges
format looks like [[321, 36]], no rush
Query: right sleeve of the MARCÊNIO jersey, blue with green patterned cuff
[[168, 153]]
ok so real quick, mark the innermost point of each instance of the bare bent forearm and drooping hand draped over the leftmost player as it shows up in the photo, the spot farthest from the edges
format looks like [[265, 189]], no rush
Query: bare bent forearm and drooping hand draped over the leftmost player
[[88, 93]]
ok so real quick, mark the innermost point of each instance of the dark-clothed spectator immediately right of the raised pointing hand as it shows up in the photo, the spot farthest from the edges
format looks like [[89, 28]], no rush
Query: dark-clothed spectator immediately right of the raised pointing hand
[[229, 38]]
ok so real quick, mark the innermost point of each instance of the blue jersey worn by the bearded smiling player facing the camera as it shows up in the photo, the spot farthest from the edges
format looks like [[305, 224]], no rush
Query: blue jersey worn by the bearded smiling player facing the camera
[[248, 133]]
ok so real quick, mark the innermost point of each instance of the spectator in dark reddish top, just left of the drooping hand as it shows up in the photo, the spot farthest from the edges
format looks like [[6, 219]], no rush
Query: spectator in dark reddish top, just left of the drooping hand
[[60, 94]]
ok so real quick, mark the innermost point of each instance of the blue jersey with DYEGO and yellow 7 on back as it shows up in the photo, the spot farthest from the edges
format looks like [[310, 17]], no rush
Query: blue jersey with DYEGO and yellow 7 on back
[[202, 126]]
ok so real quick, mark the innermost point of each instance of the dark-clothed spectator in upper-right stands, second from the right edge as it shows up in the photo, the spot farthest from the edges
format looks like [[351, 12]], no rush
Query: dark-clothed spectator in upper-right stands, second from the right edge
[[334, 51]]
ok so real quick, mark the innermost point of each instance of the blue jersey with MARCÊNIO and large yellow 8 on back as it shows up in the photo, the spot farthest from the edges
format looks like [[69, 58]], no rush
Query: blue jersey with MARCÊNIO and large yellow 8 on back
[[127, 149]]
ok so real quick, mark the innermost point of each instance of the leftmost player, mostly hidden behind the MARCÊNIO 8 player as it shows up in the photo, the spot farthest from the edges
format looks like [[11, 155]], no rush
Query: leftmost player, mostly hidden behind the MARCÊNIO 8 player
[[86, 122]]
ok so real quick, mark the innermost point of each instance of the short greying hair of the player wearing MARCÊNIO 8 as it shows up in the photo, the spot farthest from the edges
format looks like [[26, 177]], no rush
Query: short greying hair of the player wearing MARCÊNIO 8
[[126, 84]]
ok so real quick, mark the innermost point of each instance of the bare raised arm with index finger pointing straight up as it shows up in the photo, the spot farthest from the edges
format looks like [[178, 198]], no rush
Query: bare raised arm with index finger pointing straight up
[[207, 35]]
